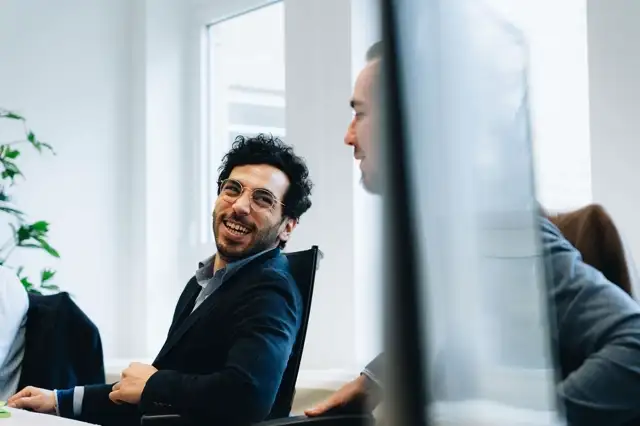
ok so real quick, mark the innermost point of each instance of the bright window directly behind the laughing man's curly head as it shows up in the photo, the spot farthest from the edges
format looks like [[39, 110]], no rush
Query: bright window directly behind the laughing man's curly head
[[245, 90]]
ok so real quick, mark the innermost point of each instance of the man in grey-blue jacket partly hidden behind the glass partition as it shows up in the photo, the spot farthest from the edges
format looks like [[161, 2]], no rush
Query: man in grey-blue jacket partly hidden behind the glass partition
[[597, 325]]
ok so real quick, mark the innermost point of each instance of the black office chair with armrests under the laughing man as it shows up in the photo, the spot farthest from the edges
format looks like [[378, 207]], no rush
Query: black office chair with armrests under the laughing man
[[303, 265]]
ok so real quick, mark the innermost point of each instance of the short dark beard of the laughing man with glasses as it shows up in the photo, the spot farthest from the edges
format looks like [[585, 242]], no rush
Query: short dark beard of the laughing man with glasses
[[261, 238]]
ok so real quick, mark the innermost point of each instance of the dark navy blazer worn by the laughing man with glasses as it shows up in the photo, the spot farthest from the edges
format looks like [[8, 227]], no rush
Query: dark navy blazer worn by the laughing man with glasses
[[223, 363]]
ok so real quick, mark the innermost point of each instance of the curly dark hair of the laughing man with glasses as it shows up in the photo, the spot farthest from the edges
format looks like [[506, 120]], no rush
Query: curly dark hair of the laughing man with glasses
[[266, 149]]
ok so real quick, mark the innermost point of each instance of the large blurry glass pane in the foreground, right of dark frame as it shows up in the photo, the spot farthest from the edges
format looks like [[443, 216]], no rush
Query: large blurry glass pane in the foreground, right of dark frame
[[465, 76]]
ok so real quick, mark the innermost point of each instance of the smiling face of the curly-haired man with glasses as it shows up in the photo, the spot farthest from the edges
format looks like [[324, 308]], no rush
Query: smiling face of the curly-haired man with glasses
[[242, 224]]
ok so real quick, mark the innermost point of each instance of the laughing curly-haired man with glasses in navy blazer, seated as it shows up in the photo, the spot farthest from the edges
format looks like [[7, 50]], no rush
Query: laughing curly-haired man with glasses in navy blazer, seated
[[237, 319]]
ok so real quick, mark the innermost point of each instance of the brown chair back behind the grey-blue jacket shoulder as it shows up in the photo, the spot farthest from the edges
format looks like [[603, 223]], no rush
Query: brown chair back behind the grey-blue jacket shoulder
[[592, 231]]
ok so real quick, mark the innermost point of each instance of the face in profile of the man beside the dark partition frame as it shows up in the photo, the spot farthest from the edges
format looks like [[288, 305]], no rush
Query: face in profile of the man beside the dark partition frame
[[362, 131]]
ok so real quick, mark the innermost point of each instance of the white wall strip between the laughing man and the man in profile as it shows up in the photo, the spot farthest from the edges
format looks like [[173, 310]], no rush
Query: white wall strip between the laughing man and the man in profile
[[318, 88]]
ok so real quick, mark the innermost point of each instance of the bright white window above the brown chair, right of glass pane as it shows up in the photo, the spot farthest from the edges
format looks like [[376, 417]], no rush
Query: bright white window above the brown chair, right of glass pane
[[557, 36]]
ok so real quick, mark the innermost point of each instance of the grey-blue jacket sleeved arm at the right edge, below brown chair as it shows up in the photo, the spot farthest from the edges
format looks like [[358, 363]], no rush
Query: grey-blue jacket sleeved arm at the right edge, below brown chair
[[600, 324]]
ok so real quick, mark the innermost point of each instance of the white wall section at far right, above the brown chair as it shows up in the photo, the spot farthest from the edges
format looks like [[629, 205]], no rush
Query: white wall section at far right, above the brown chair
[[614, 85]]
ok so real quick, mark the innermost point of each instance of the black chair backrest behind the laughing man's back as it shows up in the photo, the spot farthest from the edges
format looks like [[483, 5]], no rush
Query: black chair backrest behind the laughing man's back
[[303, 266]]
